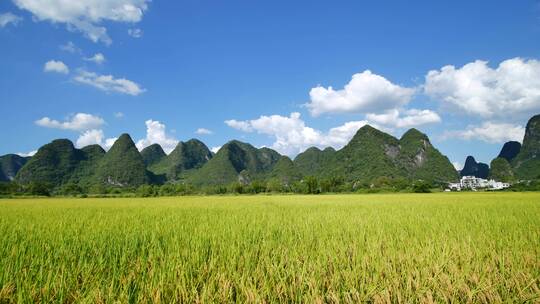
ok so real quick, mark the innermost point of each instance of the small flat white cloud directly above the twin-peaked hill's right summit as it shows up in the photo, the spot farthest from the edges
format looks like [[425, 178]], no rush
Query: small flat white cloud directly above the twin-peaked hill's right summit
[[412, 118]]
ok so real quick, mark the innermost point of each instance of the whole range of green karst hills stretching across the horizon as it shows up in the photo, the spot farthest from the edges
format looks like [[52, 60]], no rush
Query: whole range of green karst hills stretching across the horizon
[[369, 155]]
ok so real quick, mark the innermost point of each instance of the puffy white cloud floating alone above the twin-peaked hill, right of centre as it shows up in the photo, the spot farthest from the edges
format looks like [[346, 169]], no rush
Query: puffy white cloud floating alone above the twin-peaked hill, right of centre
[[366, 92]]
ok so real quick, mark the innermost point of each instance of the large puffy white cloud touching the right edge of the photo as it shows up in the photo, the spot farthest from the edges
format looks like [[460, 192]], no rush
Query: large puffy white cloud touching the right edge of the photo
[[477, 89]]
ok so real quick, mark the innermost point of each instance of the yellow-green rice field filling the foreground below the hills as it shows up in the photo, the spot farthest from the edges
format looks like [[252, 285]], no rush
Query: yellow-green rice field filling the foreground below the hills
[[475, 247]]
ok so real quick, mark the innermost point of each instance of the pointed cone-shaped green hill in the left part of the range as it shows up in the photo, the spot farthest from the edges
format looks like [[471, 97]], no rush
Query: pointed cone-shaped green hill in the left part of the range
[[122, 165]]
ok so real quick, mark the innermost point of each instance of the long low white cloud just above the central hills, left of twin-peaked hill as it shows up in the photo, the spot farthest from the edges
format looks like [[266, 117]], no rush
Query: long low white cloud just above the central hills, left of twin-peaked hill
[[291, 135]]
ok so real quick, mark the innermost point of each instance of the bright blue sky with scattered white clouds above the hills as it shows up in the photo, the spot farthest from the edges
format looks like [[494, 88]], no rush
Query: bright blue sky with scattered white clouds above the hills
[[272, 73]]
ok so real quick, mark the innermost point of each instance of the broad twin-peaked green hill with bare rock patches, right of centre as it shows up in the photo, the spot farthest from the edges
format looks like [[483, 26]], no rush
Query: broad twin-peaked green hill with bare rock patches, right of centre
[[372, 153]]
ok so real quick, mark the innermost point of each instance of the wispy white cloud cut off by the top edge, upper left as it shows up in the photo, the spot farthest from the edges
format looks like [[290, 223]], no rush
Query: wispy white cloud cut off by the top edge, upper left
[[86, 15]]
